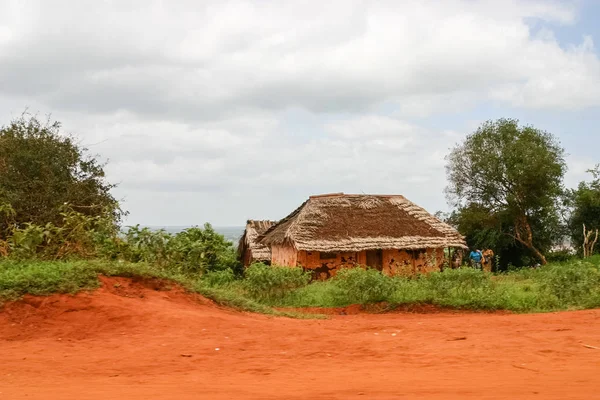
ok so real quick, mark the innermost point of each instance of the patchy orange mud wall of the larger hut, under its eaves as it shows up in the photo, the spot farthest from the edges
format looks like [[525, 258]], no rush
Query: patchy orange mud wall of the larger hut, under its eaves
[[395, 262]]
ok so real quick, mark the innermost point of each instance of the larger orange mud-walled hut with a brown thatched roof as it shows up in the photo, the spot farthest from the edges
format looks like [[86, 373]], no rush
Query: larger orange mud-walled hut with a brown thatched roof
[[336, 230]]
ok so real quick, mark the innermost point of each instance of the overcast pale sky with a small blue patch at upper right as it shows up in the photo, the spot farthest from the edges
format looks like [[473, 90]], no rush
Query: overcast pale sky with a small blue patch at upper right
[[221, 110]]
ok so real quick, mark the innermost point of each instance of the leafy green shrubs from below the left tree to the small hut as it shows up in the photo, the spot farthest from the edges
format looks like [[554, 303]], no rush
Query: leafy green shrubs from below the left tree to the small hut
[[193, 251]]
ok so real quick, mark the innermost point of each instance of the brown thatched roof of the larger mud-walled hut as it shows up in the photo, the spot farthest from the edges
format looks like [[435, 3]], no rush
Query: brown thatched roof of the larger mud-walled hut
[[344, 222]]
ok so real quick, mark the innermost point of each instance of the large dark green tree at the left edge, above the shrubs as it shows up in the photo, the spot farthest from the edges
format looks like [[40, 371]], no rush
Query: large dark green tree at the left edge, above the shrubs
[[42, 169]]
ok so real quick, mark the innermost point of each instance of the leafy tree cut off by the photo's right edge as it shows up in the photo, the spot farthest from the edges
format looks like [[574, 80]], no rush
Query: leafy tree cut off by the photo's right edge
[[585, 207]]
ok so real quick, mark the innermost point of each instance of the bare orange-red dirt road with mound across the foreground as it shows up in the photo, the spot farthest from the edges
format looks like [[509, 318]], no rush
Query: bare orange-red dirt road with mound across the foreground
[[128, 341]]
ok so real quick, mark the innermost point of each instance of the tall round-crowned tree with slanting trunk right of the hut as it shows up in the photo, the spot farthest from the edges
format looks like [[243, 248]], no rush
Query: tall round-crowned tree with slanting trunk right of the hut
[[515, 174]]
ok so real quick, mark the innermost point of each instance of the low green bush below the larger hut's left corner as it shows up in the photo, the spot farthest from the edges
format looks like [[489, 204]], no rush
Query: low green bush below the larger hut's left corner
[[269, 283]]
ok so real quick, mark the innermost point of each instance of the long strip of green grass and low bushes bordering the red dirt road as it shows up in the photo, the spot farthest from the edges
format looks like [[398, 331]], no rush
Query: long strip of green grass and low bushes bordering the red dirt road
[[564, 286]]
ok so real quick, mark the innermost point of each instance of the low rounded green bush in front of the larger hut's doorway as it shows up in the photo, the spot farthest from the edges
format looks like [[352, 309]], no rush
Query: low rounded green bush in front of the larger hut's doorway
[[363, 286]]
